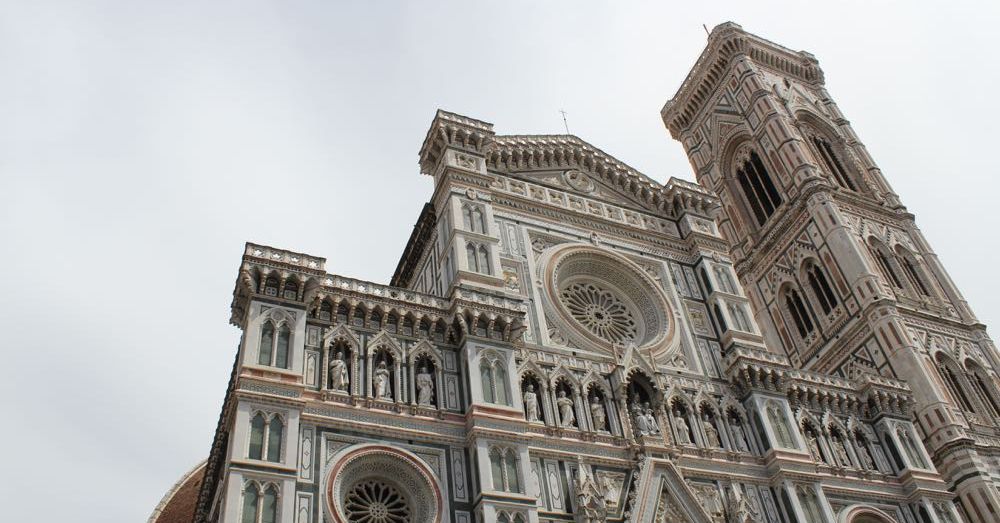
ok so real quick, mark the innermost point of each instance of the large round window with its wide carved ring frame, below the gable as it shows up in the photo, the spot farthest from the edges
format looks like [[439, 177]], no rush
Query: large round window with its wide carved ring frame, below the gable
[[602, 300]]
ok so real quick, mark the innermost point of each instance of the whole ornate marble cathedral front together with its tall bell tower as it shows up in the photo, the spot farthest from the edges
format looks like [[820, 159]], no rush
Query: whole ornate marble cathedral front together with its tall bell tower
[[565, 339]]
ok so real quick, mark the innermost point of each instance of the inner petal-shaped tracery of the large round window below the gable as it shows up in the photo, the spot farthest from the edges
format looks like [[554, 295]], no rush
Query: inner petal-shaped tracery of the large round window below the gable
[[600, 311]]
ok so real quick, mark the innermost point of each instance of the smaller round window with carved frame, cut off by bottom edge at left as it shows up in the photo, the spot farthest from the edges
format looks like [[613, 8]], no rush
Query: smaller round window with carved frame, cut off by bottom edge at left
[[378, 483]]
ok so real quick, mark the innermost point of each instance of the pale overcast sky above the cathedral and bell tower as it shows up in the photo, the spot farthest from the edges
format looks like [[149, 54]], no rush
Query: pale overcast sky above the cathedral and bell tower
[[142, 143]]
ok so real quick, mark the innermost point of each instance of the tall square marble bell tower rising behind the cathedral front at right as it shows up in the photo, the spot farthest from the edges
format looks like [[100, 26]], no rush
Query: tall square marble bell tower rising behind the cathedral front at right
[[840, 278]]
